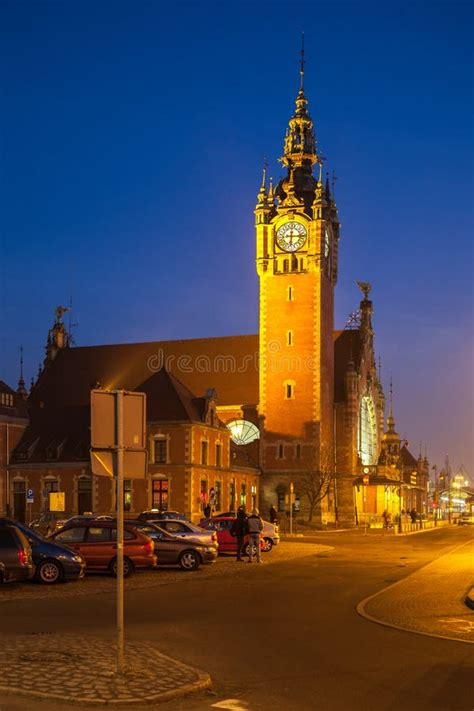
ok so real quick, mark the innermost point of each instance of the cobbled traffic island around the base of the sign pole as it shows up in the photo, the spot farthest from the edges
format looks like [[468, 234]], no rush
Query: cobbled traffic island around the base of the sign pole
[[81, 669]]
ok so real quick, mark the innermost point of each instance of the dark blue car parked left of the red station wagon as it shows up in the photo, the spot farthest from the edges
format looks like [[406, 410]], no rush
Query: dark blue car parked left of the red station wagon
[[53, 561]]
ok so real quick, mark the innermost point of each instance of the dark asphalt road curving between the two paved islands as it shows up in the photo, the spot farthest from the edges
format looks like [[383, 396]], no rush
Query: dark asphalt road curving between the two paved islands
[[284, 636]]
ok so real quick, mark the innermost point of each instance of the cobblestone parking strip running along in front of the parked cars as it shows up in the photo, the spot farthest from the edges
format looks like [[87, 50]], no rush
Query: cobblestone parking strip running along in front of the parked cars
[[104, 583]]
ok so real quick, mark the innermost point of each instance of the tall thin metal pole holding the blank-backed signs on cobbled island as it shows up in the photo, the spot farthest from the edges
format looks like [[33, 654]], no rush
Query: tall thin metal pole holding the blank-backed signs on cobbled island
[[120, 517]]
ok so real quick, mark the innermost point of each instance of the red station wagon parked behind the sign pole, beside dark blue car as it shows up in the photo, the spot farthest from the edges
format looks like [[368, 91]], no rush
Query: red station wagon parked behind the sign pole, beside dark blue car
[[96, 542]]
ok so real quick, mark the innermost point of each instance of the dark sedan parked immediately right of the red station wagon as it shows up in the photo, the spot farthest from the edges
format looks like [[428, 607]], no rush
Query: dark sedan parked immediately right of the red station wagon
[[189, 554]]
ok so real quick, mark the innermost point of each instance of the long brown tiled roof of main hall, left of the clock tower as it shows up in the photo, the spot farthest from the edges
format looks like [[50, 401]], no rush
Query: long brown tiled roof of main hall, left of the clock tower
[[228, 364]]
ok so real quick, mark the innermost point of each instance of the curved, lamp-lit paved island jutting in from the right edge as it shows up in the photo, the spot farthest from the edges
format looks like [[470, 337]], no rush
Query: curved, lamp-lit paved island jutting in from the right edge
[[431, 600]]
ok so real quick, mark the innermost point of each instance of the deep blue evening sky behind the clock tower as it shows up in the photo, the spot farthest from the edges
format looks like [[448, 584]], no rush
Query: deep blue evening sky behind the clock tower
[[132, 141]]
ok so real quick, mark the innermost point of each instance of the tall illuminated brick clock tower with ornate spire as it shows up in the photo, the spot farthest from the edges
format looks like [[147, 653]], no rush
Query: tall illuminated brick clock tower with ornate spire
[[297, 234]]
